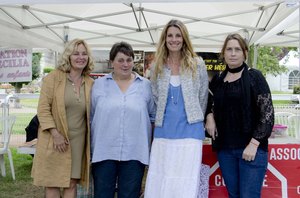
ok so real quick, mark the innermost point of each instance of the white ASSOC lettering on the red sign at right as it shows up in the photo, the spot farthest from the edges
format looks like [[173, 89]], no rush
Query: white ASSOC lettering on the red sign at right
[[285, 154]]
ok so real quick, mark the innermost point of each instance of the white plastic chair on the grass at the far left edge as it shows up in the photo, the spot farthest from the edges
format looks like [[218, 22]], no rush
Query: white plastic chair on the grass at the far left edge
[[6, 125]]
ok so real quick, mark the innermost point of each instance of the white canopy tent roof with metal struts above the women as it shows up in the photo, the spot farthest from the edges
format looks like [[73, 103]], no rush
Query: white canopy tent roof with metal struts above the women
[[49, 24]]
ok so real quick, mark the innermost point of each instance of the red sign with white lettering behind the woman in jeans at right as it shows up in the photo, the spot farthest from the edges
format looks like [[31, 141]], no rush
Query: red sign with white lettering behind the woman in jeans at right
[[282, 179]]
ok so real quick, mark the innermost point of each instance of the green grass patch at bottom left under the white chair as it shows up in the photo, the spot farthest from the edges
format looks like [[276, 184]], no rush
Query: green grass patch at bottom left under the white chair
[[22, 186]]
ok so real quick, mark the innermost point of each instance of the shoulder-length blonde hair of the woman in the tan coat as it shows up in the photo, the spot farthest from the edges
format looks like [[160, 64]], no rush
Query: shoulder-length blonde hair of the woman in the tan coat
[[64, 62]]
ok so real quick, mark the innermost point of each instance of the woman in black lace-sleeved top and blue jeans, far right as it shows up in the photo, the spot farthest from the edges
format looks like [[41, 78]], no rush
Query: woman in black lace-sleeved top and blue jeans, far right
[[240, 118]]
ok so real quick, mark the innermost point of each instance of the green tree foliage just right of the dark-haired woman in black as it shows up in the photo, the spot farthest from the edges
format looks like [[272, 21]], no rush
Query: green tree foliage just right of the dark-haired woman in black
[[268, 59]]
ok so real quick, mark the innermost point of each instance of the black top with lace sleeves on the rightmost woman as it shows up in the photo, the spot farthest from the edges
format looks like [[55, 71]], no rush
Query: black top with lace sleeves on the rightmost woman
[[242, 109]]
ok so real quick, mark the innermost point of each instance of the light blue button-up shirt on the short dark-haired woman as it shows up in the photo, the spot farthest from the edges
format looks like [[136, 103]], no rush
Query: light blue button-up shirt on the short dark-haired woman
[[121, 122]]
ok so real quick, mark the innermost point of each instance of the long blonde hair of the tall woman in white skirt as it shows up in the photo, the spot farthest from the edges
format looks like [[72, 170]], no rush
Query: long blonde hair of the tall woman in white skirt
[[188, 61]]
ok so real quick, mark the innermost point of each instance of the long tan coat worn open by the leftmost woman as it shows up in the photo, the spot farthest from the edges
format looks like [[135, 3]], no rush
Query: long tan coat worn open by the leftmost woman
[[51, 168]]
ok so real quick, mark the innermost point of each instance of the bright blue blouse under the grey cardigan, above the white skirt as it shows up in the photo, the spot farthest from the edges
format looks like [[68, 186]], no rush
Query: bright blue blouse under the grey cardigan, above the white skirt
[[175, 125]]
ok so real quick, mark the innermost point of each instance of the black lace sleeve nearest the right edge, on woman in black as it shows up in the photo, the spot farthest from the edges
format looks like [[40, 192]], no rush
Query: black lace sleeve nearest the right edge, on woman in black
[[265, 110]]
